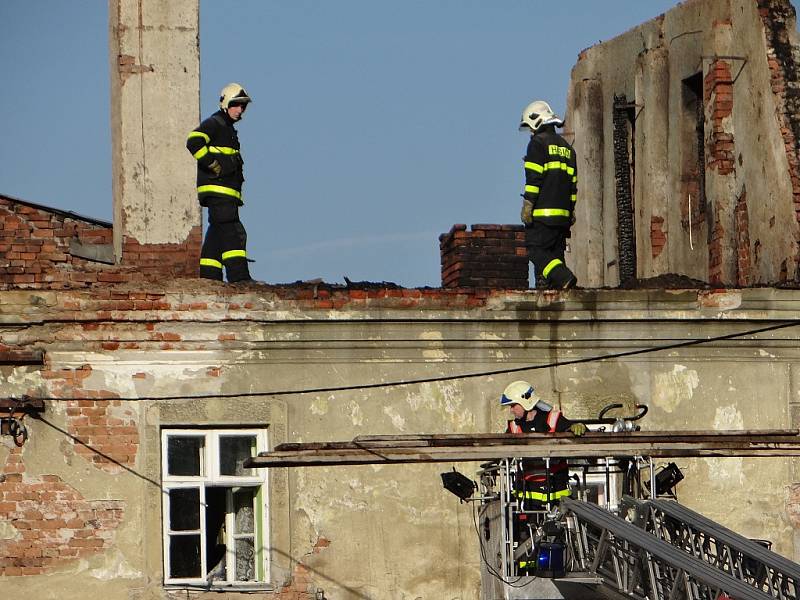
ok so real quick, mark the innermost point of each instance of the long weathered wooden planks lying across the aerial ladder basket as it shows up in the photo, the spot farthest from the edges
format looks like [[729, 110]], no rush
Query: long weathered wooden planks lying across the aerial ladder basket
[[482, 447]]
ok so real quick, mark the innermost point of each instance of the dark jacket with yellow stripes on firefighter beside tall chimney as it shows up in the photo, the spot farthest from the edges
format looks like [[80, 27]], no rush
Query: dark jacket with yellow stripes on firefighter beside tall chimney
[[216, 139]]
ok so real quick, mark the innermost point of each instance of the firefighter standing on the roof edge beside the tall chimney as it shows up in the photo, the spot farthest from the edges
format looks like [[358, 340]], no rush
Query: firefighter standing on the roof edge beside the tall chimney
[[215, 146]]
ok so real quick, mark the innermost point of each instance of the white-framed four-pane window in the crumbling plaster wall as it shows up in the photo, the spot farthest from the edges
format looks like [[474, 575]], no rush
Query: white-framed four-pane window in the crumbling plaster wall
[[215, 511]]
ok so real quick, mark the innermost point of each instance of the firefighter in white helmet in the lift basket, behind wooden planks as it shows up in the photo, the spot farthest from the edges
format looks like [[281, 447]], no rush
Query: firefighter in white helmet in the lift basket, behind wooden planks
[[532, 414]]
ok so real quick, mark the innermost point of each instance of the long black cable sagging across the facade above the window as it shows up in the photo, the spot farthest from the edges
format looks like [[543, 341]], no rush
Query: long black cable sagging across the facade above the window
[[367, 386]]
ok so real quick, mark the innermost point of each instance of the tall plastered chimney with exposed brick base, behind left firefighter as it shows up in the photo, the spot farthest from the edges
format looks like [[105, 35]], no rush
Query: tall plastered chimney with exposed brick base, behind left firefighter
[[155, 77]]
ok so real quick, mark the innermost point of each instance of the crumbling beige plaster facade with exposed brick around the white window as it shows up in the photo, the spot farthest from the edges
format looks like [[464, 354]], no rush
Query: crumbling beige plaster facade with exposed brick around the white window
[[367, 532]]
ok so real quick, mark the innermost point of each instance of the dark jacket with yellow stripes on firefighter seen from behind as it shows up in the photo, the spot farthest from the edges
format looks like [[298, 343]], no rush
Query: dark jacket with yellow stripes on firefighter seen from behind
[[551, 178]]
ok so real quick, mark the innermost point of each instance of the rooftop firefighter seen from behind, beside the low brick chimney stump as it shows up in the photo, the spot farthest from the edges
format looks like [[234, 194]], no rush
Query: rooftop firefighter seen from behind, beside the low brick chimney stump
[[551, 187]]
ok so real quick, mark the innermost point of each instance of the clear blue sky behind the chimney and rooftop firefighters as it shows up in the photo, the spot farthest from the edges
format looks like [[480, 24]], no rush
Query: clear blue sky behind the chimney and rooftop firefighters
[[376, 125]]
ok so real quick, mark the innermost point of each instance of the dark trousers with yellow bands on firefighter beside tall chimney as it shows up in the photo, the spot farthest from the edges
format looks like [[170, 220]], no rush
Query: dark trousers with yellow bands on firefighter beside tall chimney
[[225, 242]]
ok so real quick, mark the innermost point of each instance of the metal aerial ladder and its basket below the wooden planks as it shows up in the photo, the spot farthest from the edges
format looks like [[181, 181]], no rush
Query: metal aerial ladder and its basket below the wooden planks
[[636, 548]]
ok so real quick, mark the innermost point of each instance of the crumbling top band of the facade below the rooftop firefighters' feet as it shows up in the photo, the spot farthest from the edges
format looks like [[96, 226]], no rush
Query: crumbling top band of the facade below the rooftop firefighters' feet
[[205, 303]]
